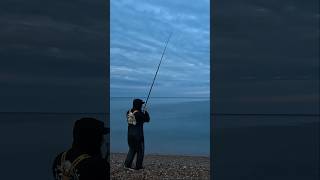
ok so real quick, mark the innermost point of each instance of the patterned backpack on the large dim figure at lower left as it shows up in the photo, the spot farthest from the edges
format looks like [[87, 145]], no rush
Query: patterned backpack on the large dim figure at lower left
[[68, 169]]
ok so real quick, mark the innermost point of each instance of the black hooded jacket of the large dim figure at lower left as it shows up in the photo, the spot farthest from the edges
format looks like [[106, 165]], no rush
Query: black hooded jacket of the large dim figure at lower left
[[87, 139]]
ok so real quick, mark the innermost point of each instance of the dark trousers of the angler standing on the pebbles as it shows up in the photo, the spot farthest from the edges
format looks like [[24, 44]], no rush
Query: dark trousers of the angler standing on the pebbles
[[136, 147]]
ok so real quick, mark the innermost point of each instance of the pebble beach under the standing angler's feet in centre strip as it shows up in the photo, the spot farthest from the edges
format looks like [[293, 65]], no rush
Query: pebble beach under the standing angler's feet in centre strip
[[158, 167]]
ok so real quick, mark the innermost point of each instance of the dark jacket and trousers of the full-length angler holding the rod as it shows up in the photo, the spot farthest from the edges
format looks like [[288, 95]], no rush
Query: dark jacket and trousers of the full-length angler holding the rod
[[136, 139]]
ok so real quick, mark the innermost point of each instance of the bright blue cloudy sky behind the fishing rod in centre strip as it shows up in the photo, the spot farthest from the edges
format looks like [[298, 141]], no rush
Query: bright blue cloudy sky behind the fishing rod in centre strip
[[139, 30]]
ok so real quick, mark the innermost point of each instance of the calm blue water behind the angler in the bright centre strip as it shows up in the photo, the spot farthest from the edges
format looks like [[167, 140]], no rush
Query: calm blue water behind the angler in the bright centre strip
[[177, 126]]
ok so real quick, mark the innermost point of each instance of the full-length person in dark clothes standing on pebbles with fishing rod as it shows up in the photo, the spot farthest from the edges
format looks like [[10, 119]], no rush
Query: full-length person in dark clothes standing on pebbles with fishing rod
[[136, 118]]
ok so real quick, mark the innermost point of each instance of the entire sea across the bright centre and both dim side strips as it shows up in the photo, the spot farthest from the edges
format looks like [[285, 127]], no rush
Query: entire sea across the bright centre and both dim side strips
[[250, 145]]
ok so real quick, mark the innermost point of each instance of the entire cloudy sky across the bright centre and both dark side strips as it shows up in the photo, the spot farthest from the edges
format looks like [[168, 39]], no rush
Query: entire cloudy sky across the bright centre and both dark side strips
[[265, 55]]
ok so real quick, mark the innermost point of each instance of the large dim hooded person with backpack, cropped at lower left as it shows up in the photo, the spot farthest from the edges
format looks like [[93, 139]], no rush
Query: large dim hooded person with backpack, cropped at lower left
[[84, 160]]
